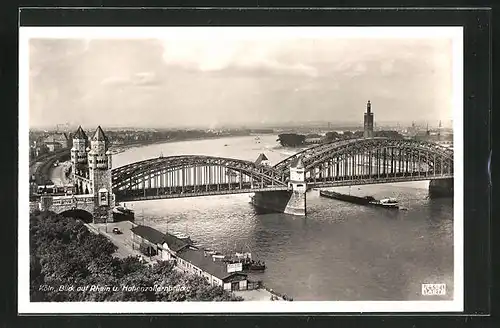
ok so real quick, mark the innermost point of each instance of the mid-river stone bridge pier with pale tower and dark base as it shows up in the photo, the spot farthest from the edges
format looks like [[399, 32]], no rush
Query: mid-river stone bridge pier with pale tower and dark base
[[291, 201]]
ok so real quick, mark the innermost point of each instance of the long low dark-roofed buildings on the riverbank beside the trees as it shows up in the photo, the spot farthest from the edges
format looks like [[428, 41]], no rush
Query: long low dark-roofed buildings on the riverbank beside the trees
[[190, 259]]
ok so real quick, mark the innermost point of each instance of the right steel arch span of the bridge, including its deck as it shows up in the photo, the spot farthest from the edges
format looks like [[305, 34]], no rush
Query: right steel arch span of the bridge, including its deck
[[371, 160]]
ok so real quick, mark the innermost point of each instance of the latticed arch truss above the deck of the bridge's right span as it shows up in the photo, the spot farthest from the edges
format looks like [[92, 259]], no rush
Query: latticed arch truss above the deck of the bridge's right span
[[401, 155]]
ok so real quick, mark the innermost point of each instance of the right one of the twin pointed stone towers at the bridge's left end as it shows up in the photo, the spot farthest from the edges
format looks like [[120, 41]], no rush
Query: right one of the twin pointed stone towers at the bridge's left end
[[99, 161]]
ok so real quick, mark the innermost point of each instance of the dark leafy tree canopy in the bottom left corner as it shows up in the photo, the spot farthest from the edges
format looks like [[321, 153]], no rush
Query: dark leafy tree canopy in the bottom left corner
[[69, 263]]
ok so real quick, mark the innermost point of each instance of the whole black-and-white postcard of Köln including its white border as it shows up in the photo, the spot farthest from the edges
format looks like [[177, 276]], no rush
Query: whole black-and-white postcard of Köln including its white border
[[240, 169]]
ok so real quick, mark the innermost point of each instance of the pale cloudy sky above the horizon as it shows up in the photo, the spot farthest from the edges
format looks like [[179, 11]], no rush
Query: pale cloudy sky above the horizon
[[213, 80]]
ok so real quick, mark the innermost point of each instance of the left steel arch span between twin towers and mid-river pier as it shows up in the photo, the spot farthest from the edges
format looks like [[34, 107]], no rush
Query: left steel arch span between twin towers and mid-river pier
[[192, 175]]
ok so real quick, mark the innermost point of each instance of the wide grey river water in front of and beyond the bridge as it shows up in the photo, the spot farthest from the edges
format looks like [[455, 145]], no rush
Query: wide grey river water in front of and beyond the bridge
[[339, 252]]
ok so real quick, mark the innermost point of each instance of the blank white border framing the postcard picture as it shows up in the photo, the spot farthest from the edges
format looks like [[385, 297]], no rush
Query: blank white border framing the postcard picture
[[27, 307]]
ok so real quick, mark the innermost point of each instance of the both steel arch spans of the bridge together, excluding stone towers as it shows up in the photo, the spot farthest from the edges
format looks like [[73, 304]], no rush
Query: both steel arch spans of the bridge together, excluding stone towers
[[346, 162]]
